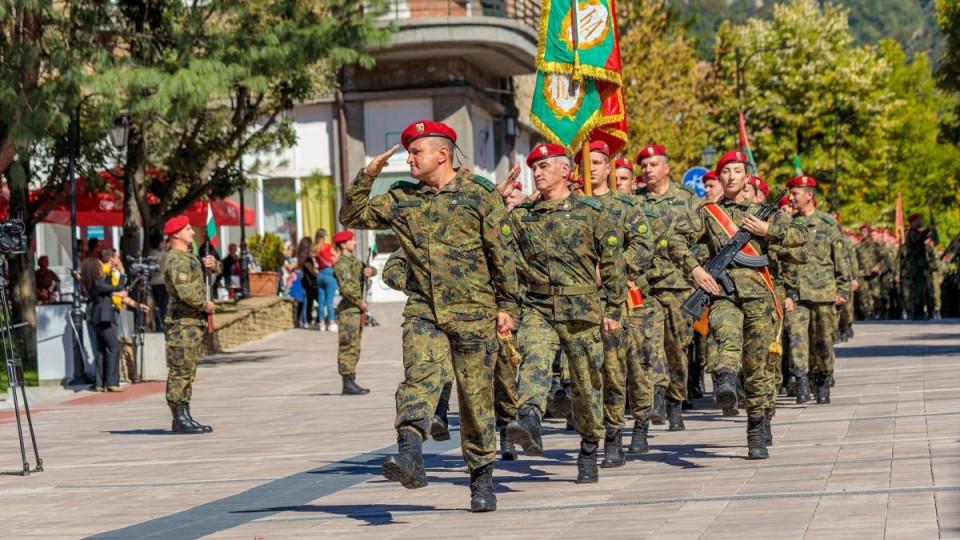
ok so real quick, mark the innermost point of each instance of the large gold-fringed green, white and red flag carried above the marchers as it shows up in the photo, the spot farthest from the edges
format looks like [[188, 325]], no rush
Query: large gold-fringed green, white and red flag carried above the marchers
[[578, 95]]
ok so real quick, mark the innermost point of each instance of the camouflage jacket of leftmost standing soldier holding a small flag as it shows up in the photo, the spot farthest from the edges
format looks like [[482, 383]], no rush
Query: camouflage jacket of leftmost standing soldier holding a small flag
[[184, 277]]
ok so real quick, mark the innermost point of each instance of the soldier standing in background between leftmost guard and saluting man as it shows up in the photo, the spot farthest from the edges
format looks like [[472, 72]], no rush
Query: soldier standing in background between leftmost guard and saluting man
[[350, 273]]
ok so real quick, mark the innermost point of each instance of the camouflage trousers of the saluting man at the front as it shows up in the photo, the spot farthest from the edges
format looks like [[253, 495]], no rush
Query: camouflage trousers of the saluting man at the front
[[430, 350]]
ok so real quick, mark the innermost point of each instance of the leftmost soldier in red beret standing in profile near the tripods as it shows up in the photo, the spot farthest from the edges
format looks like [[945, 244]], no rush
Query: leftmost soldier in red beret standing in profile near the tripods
[[185, 322]]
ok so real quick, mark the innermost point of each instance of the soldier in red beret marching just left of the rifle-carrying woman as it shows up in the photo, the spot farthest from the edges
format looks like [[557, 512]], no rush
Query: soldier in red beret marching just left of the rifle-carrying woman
[[674, 207]]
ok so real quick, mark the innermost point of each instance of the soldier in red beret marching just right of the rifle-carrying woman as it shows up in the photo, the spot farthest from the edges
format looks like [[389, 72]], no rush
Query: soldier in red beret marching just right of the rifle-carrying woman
[[822, 285]]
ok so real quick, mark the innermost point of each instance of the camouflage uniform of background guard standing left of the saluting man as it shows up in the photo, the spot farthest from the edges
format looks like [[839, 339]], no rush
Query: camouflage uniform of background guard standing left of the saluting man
[[349, 273]]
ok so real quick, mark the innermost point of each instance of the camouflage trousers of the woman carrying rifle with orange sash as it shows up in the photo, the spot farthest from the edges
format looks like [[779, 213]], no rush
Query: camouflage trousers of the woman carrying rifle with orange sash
[[744, 329]]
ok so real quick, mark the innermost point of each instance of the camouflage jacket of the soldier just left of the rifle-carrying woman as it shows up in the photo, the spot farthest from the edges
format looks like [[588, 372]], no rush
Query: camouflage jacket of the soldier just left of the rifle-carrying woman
[[673, 220]]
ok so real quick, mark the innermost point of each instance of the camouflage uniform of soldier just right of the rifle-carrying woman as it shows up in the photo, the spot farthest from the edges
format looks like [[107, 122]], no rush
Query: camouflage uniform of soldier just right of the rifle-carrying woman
[[812, 325]]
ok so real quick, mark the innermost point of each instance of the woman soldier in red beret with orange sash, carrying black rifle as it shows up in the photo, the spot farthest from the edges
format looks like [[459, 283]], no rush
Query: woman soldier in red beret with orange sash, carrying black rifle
[[746, 323]]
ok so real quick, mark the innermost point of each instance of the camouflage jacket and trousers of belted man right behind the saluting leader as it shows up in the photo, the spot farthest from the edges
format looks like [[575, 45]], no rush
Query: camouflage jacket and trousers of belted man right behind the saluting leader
[[560, 245]]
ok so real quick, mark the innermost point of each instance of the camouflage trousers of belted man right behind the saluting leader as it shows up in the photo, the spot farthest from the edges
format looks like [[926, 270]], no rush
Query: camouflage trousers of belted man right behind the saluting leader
[[582, 345]]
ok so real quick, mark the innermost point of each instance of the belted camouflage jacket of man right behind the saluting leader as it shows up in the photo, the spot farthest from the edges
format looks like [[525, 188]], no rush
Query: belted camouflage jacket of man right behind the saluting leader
[[560, 244]]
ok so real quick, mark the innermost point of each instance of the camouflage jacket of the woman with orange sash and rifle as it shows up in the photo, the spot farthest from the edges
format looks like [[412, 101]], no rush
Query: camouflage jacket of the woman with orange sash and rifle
[[748, 282]]
